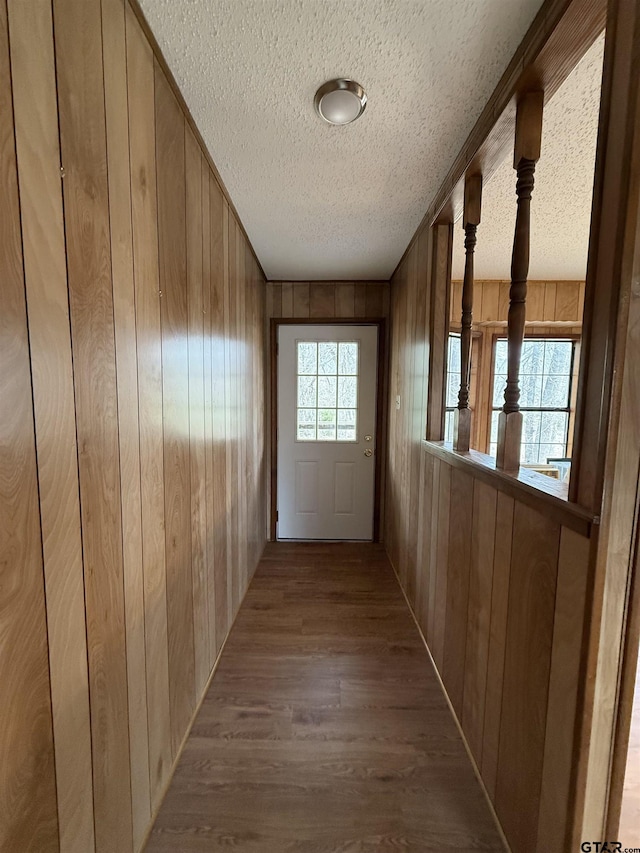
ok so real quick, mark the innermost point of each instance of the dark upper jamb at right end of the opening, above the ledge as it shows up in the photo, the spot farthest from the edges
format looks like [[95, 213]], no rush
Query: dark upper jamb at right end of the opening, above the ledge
[[611, 247]]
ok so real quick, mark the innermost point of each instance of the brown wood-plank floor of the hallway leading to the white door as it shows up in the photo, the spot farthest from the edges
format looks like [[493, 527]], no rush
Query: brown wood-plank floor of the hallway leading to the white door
[[324, 728]]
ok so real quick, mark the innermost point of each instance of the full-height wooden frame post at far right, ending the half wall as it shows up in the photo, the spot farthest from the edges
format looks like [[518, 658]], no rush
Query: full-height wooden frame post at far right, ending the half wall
[[609, 423]]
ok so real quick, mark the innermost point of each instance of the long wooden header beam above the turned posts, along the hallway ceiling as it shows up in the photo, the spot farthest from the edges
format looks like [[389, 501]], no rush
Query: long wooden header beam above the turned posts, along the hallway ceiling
[[562, 31]]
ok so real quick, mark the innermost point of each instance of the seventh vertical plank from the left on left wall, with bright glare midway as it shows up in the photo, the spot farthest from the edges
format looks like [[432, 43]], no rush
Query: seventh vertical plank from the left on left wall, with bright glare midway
[[195, 308]]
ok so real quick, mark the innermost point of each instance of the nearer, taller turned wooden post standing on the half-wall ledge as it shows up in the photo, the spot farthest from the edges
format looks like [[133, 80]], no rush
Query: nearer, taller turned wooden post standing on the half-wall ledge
[[526, 154]]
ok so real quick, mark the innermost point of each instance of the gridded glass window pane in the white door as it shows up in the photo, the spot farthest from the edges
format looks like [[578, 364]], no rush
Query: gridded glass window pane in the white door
[[327, 390]]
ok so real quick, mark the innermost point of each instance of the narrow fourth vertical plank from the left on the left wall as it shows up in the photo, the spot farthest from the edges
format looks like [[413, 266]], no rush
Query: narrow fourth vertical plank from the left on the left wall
[[117, 124]]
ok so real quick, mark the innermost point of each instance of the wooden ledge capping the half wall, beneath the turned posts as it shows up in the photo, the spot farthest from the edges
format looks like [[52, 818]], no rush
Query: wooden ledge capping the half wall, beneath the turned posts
[[536, 490]]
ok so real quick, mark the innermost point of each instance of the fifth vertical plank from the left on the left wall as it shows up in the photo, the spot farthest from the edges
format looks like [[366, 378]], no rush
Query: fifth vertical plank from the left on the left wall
[[142, 158]]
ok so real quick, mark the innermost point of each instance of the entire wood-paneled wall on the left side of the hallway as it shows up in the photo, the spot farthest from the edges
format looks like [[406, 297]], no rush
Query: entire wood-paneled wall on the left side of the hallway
[[132, 416]]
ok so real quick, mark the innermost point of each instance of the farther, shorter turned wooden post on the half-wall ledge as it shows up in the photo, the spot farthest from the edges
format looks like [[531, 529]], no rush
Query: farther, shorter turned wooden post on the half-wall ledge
[[470, 221]]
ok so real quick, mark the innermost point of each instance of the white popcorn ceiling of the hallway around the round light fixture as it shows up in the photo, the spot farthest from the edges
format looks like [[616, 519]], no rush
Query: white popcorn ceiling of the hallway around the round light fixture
[[324, 202]]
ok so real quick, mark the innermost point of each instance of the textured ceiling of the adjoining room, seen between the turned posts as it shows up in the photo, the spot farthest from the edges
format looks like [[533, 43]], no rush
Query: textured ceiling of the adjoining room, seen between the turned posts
[[561, 203]]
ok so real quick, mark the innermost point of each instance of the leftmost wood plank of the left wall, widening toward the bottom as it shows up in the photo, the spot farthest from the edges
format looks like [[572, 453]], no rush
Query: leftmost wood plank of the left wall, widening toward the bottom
[[28, 819]]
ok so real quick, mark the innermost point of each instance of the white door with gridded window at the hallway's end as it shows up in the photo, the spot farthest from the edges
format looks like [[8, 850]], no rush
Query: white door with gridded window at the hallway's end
[[327, 378]]
